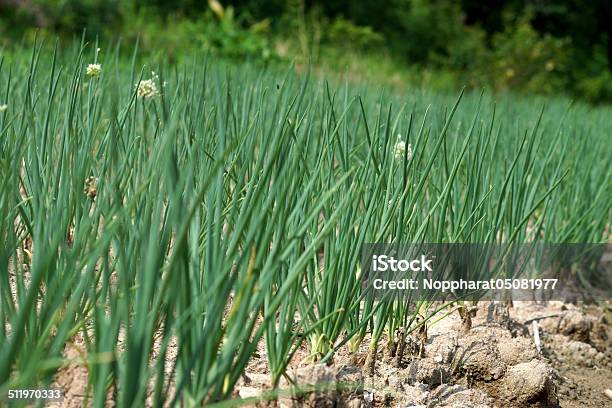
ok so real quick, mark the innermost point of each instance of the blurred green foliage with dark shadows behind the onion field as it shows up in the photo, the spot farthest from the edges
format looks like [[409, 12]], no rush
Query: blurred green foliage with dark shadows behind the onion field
[[545, 46]]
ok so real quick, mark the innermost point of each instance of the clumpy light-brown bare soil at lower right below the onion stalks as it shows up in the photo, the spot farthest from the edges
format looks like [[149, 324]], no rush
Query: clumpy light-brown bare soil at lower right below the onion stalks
[[495, 363]]
